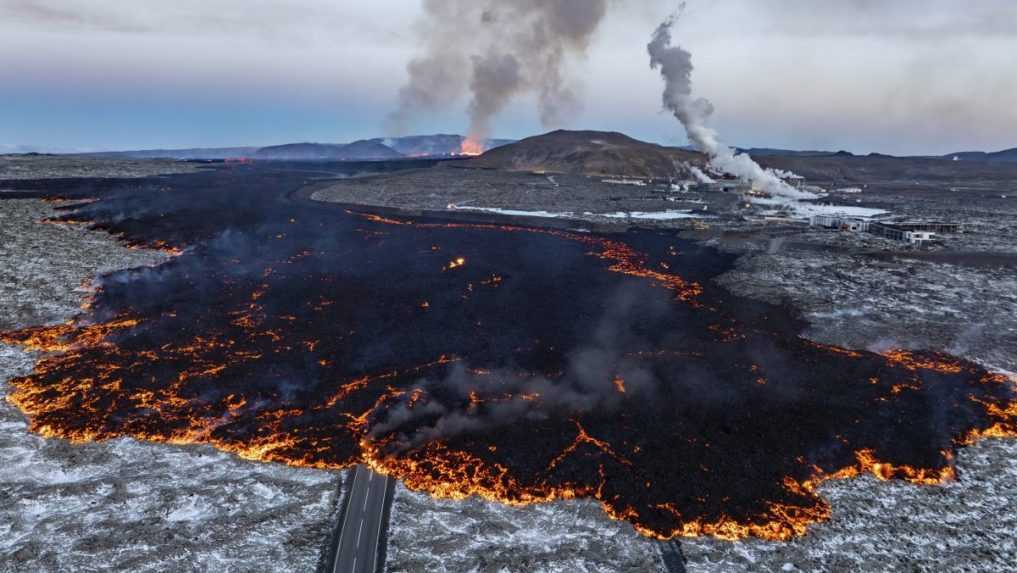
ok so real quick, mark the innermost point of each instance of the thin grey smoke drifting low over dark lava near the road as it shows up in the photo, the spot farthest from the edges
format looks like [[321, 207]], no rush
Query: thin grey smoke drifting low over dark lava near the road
[[465, 400]]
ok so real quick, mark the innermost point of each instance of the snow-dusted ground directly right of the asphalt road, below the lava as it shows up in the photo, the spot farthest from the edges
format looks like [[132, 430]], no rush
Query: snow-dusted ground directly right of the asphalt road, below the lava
[[438, 536]]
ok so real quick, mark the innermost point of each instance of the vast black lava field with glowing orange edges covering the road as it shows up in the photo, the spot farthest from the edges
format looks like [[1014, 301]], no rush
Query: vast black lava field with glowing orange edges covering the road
[[519, 365]]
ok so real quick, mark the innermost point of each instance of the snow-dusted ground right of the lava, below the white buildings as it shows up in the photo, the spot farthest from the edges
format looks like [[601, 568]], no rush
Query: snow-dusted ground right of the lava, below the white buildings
[[876, 304]]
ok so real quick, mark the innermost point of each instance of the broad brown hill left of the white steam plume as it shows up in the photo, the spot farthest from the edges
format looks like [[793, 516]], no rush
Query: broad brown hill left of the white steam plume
[[589, 153]]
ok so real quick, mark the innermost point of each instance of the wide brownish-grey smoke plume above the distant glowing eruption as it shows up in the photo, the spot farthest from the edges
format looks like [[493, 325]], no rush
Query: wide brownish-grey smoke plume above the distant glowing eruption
[[497, 50]]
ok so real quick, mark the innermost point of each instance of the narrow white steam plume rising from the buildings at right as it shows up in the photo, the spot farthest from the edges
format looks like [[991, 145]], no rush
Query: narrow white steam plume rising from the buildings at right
[[676, 67]]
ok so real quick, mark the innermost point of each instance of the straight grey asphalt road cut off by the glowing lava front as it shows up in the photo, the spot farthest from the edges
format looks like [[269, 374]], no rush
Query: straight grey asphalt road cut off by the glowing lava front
[[364, 520]]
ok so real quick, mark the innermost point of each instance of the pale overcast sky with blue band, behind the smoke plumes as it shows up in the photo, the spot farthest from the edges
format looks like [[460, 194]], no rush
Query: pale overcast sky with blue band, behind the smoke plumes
[[904, 77]]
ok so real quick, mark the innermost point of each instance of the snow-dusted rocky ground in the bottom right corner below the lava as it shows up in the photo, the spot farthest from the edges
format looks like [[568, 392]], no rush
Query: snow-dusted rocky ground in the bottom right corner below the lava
[[968, 526]]
